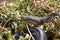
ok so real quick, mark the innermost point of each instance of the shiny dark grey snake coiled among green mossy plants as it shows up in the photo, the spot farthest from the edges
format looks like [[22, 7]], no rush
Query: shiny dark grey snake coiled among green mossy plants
[[37, 33]]
